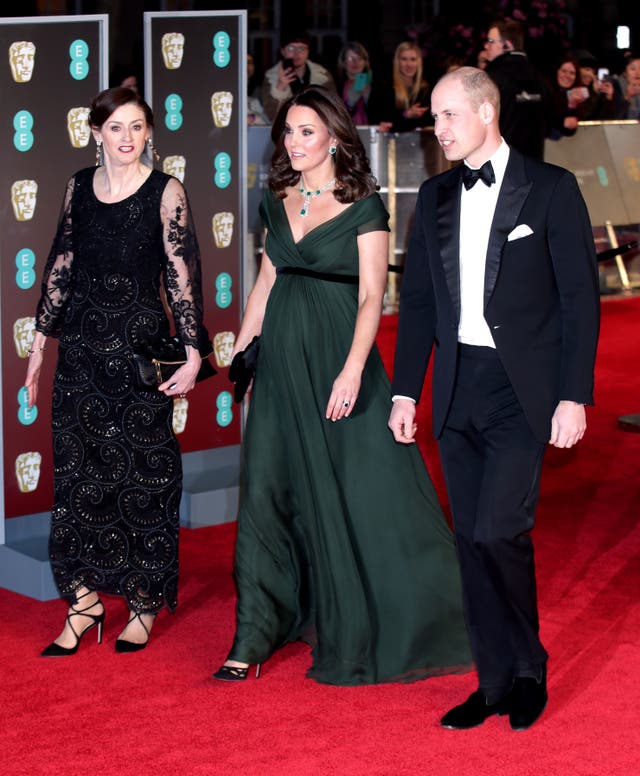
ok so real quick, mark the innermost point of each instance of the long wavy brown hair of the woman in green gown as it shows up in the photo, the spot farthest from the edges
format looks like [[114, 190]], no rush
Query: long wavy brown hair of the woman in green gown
[[354, 180]]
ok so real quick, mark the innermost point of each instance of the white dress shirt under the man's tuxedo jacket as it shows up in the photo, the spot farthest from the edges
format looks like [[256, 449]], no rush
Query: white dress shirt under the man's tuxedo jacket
[[477, 208]]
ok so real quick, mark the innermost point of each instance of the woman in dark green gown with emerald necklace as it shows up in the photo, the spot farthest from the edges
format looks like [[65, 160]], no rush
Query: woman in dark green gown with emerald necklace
[[341, 540]]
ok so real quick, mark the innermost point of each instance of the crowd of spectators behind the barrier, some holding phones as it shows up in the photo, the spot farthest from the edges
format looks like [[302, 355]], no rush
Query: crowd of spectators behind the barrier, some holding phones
[[535, 106]]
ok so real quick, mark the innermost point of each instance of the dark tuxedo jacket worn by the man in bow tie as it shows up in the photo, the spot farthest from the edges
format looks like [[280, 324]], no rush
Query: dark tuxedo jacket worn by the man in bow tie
[[541, 298]]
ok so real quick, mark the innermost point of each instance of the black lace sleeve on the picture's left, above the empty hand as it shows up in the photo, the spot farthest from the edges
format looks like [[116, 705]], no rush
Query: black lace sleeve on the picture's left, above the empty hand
[[57, 277]]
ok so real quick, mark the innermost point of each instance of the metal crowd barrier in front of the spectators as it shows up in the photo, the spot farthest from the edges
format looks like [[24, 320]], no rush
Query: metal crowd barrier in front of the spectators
[[604, 156]]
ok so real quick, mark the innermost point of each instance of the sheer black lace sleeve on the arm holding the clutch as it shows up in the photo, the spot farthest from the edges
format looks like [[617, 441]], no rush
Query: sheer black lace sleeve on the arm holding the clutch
[[182, 273]]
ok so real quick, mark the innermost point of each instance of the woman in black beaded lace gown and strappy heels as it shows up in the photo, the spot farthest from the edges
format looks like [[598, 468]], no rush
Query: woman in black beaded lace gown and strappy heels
[[124, 229]]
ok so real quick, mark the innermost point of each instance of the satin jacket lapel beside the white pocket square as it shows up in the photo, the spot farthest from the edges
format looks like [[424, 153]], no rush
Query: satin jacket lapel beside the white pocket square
[[515, 189]]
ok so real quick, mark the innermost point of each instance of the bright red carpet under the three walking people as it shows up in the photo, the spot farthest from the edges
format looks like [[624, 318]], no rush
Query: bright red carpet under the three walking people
[[158, 712]]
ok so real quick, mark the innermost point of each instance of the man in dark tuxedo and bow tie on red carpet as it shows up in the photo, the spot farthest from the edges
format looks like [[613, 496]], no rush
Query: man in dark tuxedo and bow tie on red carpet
[[501, 276]]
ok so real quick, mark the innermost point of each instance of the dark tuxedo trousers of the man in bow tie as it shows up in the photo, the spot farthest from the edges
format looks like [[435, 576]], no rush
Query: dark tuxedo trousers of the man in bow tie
[[492, 462]]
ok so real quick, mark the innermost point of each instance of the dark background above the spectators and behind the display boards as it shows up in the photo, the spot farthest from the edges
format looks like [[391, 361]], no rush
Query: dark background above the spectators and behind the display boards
[[442, 27]]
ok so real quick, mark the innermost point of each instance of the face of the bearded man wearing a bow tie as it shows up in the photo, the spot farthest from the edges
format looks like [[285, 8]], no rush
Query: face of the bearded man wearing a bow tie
[[459, 128]]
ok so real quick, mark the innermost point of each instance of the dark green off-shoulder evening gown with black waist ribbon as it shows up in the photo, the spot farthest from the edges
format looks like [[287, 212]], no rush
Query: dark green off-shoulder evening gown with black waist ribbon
[[341, 540]]
